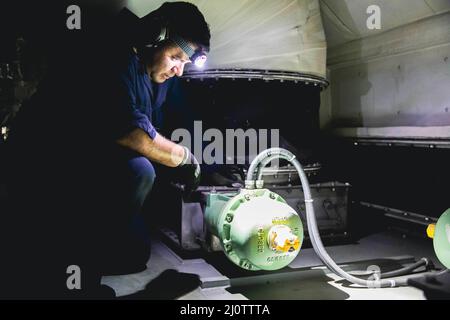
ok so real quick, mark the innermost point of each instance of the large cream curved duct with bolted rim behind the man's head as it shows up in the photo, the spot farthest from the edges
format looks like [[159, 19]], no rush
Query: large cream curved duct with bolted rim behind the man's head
[[265, 39]]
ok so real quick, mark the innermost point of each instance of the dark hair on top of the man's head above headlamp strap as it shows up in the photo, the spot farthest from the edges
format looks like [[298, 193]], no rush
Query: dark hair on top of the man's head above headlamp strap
[[183, 19]]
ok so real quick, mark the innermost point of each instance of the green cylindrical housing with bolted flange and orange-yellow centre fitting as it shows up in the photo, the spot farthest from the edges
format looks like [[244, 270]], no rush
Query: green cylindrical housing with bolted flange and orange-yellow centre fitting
[[258, 230]]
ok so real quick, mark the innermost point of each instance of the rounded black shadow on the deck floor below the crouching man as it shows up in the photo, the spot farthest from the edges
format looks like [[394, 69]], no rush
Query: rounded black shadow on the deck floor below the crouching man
[[169, 285]]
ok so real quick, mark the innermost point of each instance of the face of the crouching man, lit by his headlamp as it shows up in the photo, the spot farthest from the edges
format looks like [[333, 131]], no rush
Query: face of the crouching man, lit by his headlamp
[[167, 63]]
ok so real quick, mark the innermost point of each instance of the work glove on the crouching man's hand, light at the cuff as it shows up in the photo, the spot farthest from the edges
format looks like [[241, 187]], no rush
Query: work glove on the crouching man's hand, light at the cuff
[[188, 172]]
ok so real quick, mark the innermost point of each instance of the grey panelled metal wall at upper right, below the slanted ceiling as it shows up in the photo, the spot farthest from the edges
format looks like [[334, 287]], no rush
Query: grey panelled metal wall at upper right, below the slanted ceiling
[[396, 78]]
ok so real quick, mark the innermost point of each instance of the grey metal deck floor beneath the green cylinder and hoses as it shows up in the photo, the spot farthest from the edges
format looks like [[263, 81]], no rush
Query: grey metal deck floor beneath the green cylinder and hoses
[[305, 278]]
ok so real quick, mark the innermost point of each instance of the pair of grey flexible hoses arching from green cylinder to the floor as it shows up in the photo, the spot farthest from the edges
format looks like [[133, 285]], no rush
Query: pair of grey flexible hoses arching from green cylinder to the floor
[[255, 169]]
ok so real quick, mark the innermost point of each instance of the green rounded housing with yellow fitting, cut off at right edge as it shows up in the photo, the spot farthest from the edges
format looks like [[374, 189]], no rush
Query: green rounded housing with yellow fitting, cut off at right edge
[[440, 233]]
